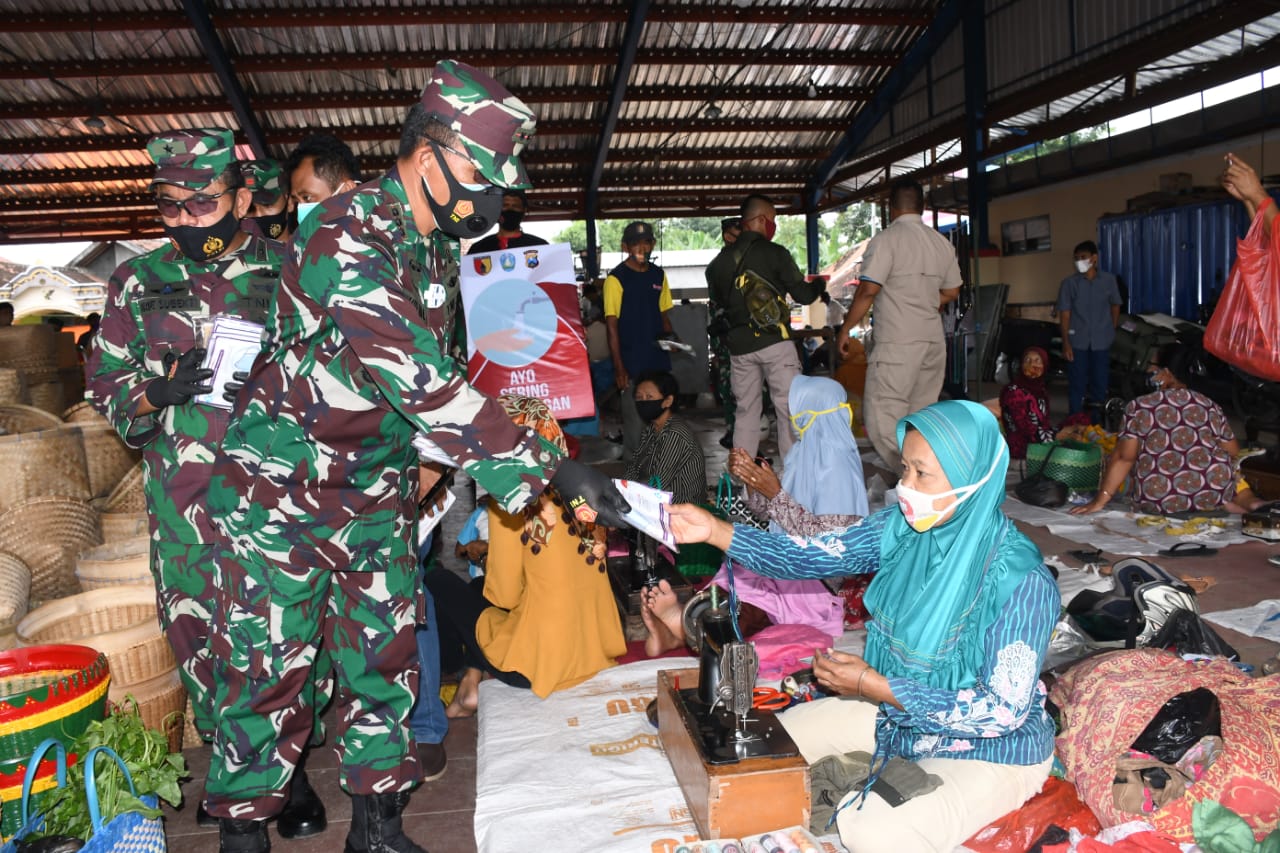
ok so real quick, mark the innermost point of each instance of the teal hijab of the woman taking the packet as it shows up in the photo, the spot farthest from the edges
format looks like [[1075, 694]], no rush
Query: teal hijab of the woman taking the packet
[[939, 592]]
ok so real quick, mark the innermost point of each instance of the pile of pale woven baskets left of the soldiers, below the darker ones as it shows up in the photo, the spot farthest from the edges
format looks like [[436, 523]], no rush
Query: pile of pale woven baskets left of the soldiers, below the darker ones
[[75, 546]]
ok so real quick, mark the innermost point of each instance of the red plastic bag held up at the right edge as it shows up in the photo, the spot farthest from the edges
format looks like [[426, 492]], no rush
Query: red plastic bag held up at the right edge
[[1246, 326]]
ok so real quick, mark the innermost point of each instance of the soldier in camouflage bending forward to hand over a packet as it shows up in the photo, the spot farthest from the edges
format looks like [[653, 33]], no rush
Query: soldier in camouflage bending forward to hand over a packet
[[317, 486]]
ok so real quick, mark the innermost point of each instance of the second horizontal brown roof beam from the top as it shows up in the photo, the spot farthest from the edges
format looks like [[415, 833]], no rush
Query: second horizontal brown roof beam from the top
[[396, 61]]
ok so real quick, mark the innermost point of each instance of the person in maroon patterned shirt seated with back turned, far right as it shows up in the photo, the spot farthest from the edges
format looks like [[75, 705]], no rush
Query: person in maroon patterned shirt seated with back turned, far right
[[1178, 446]]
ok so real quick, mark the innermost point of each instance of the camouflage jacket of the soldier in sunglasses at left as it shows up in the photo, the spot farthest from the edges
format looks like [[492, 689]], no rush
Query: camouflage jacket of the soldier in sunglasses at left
[[154, 305]]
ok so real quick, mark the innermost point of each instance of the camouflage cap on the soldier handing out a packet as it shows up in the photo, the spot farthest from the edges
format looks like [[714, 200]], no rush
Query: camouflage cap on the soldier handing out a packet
[[495, 125]]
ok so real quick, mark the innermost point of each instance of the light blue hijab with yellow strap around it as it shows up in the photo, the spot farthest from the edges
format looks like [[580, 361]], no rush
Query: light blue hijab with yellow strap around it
[[824, 471]]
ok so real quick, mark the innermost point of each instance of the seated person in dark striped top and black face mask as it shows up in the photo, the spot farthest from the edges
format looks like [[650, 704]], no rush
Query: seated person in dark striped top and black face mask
[[669, 453]]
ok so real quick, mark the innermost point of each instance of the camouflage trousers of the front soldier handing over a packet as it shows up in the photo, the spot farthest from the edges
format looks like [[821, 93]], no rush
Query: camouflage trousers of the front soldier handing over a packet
[[271, 622]]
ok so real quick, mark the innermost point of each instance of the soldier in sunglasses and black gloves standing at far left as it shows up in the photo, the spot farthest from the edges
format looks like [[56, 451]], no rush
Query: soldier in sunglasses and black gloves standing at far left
[[148, 366]]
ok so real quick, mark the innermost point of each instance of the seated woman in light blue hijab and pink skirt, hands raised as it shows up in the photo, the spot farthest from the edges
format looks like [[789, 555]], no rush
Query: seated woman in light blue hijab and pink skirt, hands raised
[[821, 490]]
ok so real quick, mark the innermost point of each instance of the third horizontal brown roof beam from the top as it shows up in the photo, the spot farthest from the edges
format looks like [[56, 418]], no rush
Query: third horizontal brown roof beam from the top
[[400, 99]]
